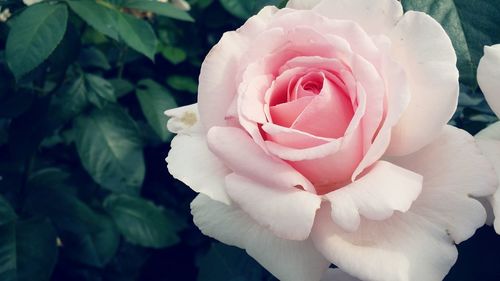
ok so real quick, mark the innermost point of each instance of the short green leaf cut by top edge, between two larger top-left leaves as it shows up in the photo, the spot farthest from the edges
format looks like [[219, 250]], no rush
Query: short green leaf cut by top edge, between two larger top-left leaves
[[98, 16]]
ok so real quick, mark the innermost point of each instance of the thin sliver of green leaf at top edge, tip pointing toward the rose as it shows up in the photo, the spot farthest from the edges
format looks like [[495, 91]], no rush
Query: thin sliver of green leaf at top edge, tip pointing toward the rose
[[160, 8]]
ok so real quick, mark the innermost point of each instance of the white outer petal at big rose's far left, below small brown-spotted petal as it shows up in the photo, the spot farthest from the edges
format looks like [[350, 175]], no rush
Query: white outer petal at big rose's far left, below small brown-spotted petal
[[190, 161]]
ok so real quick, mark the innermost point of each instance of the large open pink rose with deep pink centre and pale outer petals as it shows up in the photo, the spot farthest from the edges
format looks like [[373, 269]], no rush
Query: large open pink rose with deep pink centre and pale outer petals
[[320, 137]]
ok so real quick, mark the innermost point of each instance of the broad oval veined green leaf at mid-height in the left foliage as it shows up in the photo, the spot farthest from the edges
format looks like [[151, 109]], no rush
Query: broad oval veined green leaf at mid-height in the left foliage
[[110, 149]]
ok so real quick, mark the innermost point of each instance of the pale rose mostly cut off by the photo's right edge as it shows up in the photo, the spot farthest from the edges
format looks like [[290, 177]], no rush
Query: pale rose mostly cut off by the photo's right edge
[[488, 77]]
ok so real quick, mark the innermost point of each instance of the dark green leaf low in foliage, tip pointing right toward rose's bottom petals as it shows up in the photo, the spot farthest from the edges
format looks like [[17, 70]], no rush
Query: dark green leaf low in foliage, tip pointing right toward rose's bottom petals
[[141, 222]]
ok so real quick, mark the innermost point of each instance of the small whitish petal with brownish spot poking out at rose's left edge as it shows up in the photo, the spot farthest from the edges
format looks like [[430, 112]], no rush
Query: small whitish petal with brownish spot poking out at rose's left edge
[[184, 120]]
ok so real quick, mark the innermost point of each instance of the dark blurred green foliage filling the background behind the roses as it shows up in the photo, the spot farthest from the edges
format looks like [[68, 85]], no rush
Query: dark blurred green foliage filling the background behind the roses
[[85, 192]]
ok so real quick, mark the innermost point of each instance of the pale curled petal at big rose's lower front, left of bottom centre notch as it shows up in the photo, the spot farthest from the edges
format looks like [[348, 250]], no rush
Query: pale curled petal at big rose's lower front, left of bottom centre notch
[[288, 213]]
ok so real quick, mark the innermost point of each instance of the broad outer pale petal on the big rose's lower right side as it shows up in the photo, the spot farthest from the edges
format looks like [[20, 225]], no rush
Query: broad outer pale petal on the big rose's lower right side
[[455, 173]]
